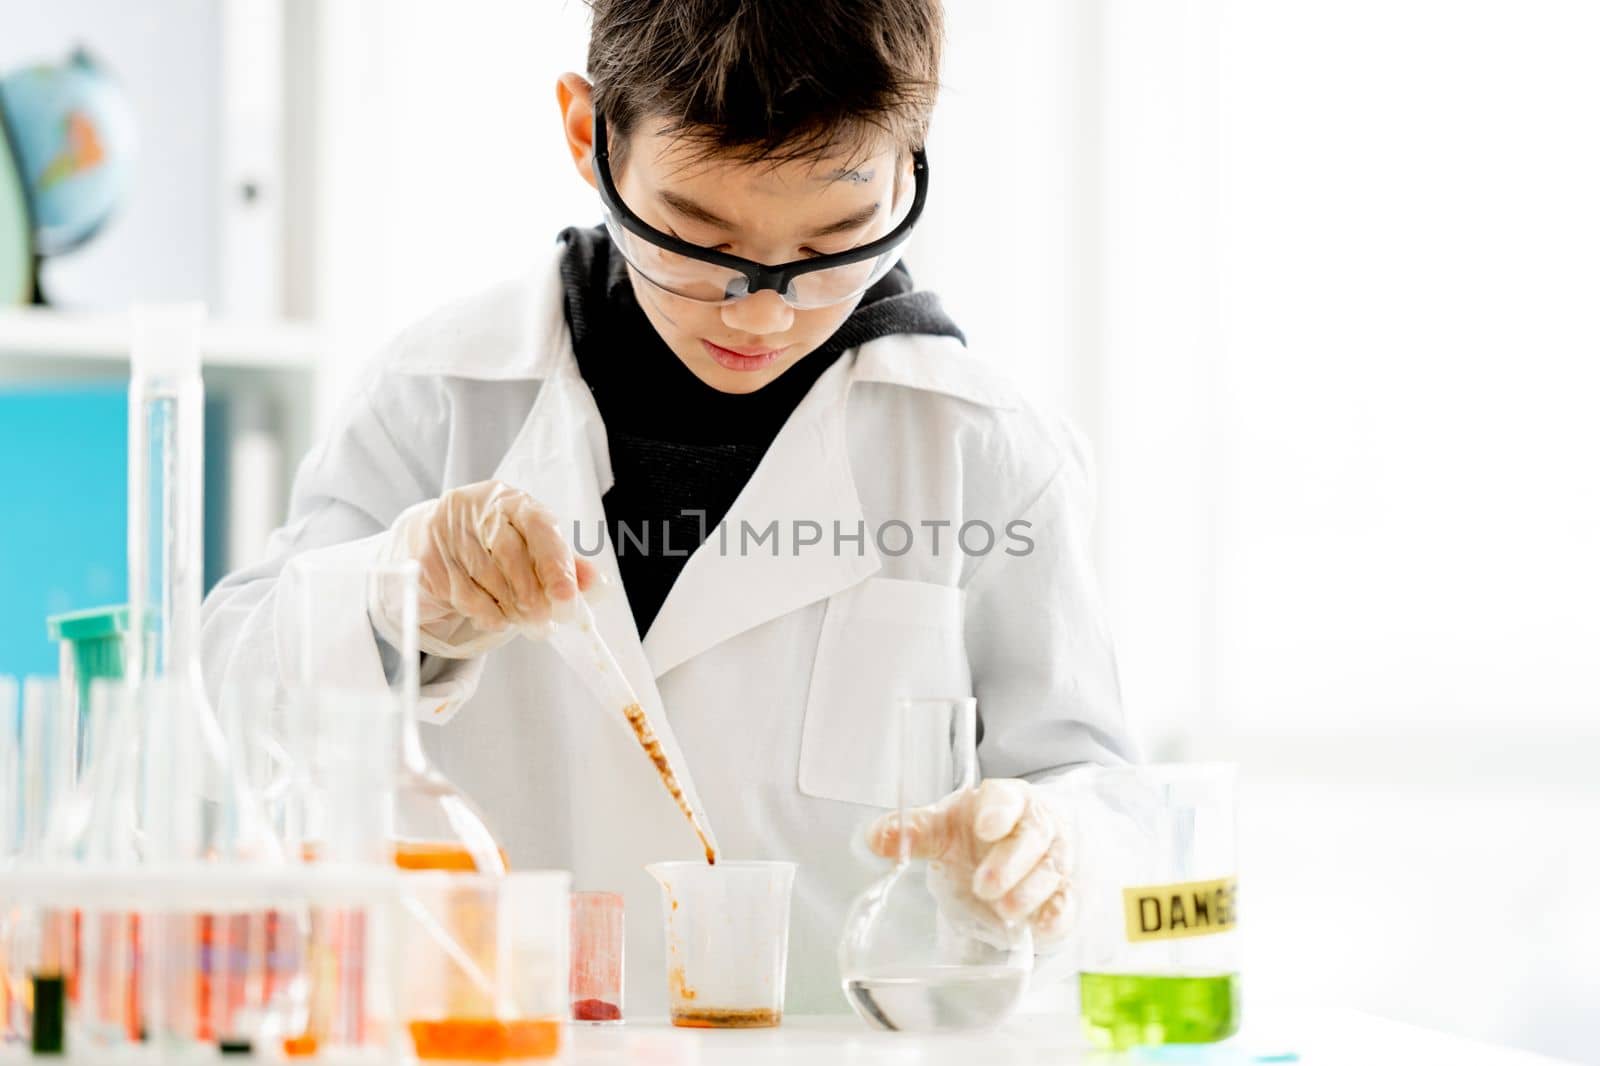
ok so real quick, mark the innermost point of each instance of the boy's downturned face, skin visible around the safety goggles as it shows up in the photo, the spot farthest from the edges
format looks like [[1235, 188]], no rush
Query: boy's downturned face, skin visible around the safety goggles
[[762, 212]]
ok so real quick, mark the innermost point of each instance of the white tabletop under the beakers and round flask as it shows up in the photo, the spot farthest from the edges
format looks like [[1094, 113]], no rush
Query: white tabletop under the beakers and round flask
[[1311, 1038]]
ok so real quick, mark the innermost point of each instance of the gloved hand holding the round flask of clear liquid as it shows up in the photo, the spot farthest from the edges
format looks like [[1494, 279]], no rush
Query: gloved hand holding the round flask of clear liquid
[[996, 857]]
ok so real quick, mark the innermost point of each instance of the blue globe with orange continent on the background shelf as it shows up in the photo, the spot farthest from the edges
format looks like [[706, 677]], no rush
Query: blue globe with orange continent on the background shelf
[[73, 143]]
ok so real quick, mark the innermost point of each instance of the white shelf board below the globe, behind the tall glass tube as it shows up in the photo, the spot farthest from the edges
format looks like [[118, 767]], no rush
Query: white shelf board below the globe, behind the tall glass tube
[[73, 335]]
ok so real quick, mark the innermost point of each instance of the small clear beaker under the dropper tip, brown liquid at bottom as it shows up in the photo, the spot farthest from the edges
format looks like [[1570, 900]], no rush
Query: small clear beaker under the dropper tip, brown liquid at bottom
[[727, 942]]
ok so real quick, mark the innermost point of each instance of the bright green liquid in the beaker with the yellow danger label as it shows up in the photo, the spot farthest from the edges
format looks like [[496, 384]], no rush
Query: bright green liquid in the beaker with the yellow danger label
[[1124, 1011]]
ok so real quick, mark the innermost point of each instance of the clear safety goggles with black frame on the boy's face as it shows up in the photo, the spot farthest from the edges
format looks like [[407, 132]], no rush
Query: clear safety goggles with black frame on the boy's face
[[716, 278]]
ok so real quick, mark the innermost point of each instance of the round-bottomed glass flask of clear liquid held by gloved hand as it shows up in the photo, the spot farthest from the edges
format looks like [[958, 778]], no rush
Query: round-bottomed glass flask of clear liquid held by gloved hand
[[906, 961]]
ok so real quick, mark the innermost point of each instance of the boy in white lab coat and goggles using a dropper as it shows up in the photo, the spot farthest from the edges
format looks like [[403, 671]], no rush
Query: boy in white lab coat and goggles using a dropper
[[806, 495]]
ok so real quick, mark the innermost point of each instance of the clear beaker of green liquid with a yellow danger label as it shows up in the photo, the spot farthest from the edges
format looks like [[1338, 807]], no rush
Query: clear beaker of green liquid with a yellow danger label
[[1164, 961]]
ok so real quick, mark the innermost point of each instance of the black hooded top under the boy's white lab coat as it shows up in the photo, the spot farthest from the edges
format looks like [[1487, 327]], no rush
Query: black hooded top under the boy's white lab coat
[[679, 447]]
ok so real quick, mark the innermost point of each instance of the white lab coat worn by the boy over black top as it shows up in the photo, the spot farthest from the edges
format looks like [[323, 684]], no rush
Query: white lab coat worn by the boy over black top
[[774, 675]]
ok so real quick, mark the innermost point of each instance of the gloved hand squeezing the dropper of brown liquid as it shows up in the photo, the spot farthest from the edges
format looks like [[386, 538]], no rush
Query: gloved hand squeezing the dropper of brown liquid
[[492, 563]]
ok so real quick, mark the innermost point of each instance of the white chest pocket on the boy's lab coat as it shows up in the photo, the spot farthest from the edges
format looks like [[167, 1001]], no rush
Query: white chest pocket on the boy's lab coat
[[881, 641]]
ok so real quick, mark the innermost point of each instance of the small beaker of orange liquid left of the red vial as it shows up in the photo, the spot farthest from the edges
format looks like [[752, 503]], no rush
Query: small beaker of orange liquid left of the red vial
[[484, 964]]
